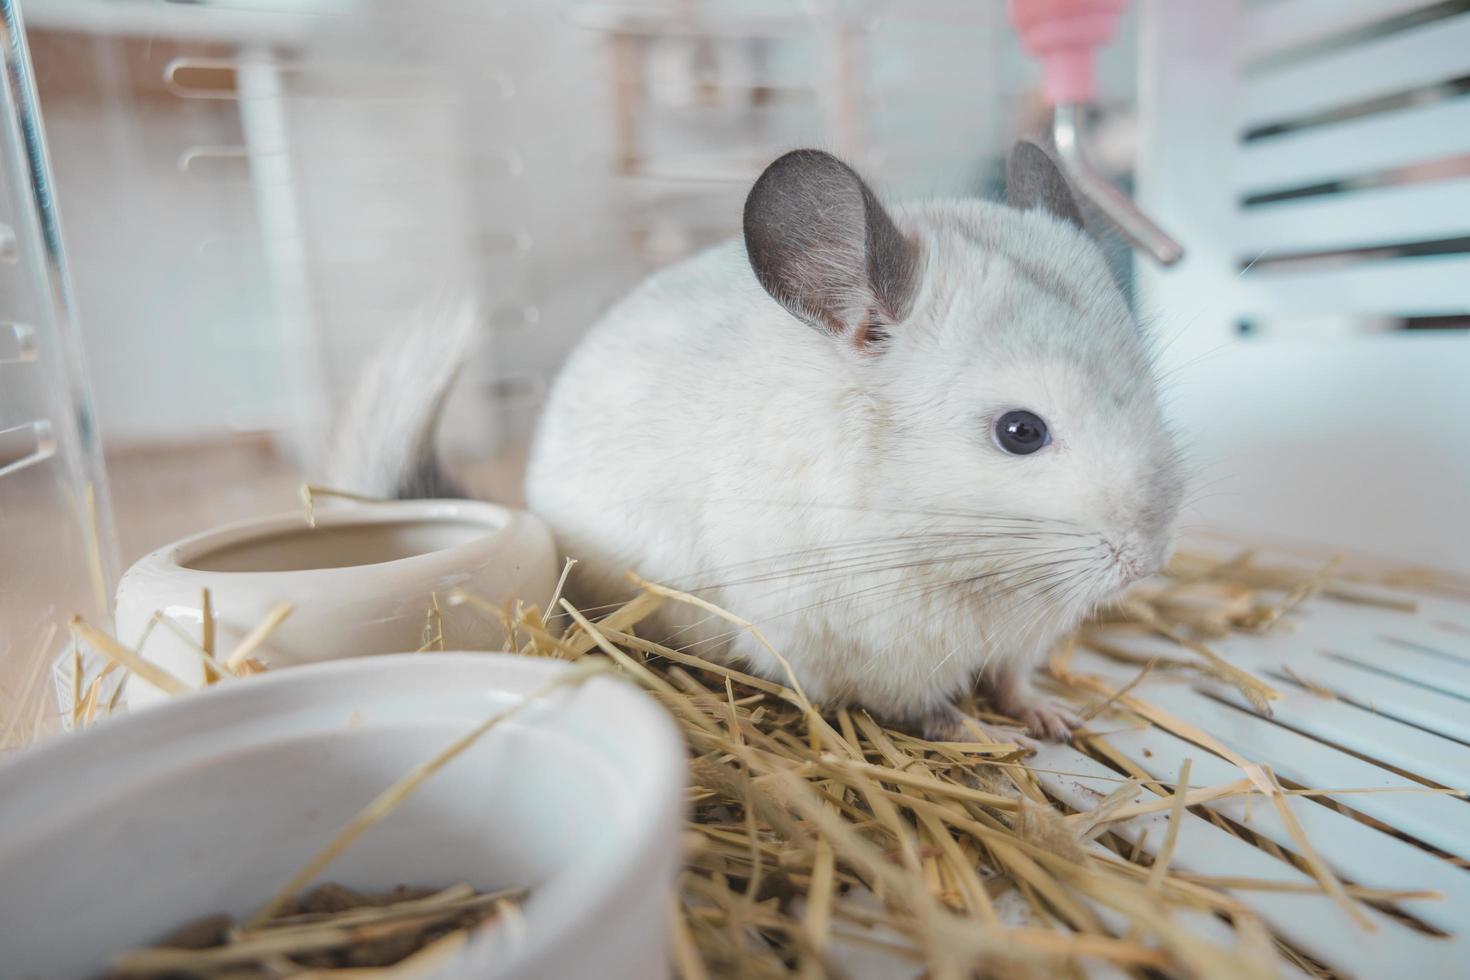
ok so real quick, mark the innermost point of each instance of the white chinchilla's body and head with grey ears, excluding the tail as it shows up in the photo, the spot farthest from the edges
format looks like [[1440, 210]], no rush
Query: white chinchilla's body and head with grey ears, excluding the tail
[[800, 428]]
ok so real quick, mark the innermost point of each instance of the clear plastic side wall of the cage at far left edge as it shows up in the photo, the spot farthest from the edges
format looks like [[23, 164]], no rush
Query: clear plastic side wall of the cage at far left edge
[[57, 546]]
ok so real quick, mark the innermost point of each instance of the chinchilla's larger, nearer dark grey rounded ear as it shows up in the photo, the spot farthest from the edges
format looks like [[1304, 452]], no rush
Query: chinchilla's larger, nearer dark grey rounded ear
[[825, 249]]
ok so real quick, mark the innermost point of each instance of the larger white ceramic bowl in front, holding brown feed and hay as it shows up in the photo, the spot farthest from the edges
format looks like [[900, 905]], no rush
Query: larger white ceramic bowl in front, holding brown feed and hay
[[208, 804]]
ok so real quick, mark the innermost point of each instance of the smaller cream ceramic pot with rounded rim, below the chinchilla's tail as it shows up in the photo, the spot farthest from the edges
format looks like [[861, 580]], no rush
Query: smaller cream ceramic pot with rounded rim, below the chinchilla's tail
[[362, 583]]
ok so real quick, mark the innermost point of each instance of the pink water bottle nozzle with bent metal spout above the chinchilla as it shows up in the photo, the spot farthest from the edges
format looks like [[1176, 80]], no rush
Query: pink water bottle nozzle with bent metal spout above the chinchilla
[[1065, 35]]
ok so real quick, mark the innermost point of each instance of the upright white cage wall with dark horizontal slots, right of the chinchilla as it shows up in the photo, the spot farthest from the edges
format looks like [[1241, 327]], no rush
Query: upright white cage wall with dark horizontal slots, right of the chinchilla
[[1313, 156]]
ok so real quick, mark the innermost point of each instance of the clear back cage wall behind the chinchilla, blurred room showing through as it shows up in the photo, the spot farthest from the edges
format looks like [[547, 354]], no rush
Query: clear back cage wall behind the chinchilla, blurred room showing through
[[302, 176]]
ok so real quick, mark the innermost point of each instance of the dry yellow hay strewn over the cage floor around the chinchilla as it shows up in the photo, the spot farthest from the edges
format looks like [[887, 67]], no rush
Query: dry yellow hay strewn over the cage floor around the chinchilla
[[822, 840]]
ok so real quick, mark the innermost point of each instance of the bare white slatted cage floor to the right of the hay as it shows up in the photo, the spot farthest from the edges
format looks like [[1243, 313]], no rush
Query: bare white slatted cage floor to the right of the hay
[[1372, 697]]
